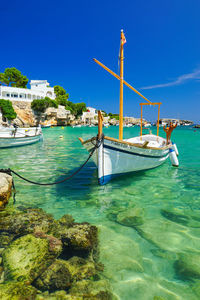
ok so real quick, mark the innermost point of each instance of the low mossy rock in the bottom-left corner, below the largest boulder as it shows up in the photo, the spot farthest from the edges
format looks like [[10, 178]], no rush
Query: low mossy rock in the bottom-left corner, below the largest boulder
[[17, 291]]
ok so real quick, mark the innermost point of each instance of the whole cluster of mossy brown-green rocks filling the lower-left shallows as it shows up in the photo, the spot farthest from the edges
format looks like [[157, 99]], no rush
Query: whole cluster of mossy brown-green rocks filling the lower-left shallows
[[43, 258]]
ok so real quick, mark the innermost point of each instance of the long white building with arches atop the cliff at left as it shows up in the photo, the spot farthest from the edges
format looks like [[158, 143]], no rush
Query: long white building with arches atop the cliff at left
[[39, 89]]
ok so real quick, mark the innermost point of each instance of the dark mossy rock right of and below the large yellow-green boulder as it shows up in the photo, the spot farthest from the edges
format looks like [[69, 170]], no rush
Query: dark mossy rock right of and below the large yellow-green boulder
[[55, 277]]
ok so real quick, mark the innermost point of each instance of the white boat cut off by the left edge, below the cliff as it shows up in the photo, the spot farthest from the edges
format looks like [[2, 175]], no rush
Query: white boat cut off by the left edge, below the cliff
[[14, 137]]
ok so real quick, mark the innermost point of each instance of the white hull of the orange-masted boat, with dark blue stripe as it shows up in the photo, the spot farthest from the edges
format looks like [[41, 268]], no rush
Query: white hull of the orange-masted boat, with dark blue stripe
[[114, 158]]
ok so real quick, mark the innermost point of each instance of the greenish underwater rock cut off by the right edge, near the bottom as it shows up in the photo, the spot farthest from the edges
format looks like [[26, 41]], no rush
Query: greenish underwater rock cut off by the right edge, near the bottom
[[188, 265]]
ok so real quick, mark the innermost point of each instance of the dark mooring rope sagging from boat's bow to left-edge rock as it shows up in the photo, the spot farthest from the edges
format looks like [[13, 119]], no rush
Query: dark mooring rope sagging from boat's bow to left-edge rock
[[10, 171]]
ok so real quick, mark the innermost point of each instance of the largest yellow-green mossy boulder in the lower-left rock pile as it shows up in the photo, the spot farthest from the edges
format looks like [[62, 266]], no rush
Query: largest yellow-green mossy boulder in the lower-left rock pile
[[27, 257]]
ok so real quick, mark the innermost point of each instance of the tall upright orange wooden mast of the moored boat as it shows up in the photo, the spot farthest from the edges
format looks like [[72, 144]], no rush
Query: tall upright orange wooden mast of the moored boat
[[122, 41]]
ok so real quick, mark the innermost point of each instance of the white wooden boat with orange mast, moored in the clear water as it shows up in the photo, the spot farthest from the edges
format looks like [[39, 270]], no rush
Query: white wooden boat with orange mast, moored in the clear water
[[115, 157]]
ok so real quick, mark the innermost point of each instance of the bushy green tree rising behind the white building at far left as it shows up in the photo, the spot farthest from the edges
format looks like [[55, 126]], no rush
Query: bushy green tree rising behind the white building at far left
[[14, 78]]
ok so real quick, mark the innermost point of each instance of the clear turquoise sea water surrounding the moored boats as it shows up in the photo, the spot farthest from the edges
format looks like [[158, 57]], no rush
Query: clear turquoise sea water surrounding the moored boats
[[140, 262]]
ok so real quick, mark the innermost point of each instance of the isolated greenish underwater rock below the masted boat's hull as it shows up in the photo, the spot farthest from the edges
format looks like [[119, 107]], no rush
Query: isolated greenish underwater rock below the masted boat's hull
[[131, 217]]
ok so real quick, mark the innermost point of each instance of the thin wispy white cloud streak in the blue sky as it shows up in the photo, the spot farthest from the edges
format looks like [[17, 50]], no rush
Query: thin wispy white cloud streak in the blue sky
[[180, 80]]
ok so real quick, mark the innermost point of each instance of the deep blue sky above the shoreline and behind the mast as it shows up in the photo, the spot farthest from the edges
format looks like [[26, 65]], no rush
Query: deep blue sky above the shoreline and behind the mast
[[56, 40]]
